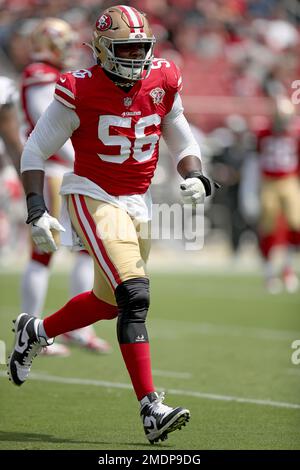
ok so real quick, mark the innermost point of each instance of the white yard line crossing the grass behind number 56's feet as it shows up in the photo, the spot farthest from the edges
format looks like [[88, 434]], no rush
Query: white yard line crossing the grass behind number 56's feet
[[188, 393]]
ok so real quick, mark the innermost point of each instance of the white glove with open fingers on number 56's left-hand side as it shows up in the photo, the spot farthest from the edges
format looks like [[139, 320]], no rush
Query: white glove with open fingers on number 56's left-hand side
[[41, 232]]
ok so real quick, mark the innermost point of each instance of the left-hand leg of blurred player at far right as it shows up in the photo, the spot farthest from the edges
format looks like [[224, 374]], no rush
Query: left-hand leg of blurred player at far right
[[270, 212]]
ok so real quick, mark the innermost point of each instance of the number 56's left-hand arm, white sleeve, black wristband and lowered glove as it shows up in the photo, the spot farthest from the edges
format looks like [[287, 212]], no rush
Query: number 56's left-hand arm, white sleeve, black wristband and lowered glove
[[53, 129]]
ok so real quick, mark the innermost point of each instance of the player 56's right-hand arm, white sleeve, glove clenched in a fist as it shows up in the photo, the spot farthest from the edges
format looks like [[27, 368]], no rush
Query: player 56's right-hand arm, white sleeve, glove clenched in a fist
[[183, 146]]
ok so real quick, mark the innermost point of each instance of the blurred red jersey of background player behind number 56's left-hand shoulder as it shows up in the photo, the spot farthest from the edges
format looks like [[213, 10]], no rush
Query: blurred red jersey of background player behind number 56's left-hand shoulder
[[37, 74]]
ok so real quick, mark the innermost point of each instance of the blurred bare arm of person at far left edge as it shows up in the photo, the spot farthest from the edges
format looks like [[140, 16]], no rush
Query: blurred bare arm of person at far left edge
[[9, 131]]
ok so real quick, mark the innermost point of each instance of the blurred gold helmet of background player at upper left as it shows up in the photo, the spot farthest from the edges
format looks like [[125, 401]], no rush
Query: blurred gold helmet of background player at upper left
[[52, 40]]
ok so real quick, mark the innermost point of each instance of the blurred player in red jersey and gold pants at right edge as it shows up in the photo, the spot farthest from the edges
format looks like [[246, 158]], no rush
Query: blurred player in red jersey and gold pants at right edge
[[278, 147]]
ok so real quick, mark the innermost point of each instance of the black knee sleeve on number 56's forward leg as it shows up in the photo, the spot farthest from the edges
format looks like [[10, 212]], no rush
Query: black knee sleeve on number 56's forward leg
[[133, 301]]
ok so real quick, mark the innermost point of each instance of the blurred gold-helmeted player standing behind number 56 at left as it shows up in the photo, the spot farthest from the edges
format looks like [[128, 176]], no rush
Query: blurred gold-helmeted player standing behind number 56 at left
[[52, 41]]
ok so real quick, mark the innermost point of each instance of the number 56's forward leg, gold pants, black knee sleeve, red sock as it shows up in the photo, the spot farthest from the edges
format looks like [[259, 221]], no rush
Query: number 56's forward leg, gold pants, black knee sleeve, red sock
[[111, 236]]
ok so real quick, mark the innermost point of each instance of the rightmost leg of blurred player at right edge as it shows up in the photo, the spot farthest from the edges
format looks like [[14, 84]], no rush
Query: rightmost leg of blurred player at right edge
[[290, 199]]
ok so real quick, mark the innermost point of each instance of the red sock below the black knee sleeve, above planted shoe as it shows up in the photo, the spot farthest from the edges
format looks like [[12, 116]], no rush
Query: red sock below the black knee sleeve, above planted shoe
[[137, 359]]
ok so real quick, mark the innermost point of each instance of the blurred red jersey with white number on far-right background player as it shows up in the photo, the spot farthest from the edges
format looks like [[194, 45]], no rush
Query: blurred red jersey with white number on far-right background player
[[279, 153]]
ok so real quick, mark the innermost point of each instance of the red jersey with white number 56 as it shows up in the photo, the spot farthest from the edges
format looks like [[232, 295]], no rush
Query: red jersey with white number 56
[[116, 143]]
